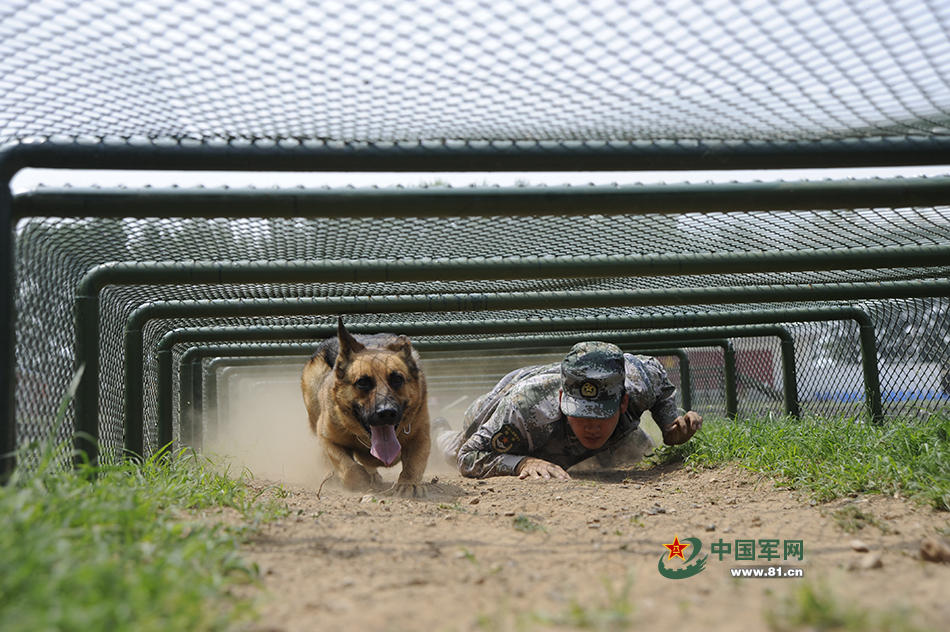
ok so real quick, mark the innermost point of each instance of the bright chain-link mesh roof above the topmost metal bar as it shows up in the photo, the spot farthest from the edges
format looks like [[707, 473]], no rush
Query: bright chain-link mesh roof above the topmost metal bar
[[698, 70]]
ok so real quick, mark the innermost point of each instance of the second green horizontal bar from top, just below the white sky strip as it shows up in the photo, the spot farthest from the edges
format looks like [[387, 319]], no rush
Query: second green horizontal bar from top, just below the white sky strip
[[509, 201]]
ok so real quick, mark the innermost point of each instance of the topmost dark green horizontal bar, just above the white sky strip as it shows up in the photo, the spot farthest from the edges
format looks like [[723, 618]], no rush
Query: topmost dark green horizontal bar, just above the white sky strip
[[501, 155]]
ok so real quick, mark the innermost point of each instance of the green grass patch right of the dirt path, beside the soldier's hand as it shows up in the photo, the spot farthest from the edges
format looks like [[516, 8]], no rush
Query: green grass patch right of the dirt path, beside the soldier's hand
[[832, 457]]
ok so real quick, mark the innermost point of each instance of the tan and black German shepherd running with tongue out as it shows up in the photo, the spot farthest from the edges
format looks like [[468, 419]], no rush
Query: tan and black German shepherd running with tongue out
[[366, 399]]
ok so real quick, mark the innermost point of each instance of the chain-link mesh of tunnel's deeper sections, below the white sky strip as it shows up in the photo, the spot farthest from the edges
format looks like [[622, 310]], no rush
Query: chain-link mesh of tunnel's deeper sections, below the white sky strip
[[913, 335]]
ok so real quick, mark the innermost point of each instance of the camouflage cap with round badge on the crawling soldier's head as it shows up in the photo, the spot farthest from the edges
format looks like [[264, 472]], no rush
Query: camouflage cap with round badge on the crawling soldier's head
[[592, 377]]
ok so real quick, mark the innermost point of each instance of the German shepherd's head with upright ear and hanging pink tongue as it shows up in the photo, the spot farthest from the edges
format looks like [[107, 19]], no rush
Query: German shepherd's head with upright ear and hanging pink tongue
[[379, 386]]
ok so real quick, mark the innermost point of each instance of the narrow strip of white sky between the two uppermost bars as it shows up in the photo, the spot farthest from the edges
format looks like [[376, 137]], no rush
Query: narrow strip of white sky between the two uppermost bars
[[30, 179]]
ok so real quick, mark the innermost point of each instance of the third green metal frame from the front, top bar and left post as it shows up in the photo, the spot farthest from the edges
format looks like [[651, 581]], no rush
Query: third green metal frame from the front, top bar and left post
[[178, 272]]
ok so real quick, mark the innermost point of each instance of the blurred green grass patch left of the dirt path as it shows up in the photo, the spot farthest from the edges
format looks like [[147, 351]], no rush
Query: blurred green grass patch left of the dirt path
[[125, 546]]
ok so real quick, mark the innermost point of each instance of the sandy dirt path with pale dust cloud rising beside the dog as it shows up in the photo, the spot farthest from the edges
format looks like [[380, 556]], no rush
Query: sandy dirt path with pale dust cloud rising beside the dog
[[505, 554]]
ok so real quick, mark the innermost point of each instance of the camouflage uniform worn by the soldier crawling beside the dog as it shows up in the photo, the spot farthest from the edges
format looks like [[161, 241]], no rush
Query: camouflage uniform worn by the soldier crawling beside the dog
[[522, 417]]
